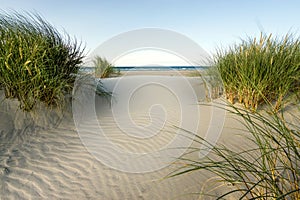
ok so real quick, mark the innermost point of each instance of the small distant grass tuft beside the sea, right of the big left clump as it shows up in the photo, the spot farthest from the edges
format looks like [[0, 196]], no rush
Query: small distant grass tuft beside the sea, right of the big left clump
[[104, 69]]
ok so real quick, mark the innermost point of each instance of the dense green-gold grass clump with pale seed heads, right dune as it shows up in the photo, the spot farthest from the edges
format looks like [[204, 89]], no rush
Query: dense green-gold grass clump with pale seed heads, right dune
[[258, 70]]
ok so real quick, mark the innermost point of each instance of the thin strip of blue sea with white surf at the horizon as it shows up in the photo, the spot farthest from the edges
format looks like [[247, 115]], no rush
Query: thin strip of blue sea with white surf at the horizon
[[150, 68]]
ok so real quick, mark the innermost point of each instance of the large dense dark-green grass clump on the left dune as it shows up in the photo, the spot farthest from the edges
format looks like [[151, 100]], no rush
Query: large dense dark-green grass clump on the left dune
[[37, 62]]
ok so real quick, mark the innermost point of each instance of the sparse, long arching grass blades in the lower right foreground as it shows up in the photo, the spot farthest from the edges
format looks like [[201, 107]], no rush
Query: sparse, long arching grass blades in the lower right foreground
[[268, 169]]
